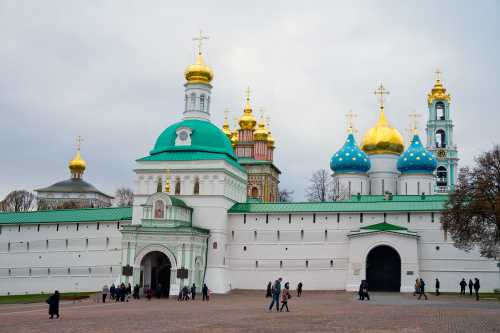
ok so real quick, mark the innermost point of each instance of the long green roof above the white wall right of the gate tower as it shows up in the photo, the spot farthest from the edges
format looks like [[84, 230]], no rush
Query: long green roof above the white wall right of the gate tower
[[367, 203]]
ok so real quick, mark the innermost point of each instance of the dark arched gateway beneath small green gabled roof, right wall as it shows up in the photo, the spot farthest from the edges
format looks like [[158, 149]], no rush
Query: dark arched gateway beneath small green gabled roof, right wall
[[383, 269]]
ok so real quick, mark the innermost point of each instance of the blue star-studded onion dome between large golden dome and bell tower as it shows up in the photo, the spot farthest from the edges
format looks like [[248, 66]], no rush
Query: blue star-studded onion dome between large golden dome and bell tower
[[417, 159]]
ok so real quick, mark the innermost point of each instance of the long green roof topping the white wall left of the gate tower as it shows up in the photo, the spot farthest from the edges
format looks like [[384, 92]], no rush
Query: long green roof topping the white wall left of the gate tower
[[68, 215]]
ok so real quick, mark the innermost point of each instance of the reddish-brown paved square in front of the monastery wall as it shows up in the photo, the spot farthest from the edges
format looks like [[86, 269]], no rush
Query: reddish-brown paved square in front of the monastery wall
[[247, 311]]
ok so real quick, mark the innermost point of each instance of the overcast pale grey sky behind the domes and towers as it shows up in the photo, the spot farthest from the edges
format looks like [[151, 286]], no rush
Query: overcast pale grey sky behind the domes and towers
[[112, 72]]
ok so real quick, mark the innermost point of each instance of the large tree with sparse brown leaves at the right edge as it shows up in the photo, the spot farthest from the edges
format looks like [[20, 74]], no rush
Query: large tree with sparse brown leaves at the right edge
[[472, 215]]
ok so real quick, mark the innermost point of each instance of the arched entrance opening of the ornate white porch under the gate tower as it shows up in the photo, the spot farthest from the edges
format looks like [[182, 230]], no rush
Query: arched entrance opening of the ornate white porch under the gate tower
[[155, 273]]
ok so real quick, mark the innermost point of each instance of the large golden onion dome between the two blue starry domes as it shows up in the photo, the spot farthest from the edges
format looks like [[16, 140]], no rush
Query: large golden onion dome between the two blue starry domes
[[382, 138]]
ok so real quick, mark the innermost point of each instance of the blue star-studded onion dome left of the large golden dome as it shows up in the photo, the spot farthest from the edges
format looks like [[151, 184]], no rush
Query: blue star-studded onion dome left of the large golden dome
[[350, 158]]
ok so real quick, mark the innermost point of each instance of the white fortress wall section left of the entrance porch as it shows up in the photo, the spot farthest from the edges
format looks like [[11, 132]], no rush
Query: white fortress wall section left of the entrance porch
[[37, 258]]
